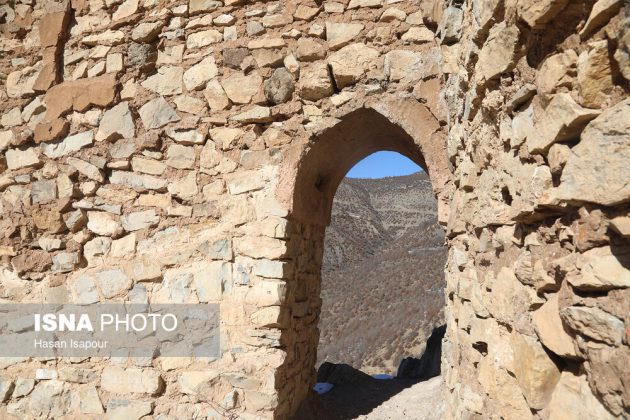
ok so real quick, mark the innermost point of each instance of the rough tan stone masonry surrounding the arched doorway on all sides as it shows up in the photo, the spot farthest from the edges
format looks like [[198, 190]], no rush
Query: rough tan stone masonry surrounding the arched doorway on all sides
[[188, 151]]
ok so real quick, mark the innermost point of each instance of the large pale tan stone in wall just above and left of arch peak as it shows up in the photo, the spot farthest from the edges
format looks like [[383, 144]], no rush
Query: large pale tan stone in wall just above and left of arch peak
[[350, 63]]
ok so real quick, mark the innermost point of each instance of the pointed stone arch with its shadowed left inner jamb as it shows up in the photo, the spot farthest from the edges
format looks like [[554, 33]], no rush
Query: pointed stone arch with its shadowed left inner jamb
[[309, 178]]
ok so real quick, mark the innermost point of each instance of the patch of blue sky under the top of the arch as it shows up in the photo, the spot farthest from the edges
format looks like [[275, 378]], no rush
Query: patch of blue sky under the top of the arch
[[383, 164]]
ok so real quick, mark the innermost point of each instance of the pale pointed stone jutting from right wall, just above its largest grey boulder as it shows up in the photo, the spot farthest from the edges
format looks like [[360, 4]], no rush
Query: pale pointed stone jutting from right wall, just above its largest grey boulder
[[563, 119]]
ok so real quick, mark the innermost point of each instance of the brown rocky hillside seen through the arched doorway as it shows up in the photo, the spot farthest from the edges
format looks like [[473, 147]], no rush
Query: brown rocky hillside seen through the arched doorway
[[382, 276]]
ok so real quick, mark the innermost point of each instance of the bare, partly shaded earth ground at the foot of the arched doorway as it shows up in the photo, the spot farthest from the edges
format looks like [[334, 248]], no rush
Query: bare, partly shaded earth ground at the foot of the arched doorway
[[394, 399]]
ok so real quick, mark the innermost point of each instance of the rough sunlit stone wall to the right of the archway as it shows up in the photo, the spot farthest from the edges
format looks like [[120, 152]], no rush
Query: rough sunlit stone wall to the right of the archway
[[538, 271]]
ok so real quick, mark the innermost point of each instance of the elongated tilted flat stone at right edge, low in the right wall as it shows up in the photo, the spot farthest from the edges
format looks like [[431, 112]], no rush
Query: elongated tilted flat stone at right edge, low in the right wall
[[594, 323]]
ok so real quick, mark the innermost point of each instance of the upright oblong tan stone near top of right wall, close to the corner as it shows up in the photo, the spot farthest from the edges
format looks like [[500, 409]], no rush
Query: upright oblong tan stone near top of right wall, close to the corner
[[497, 54]]
